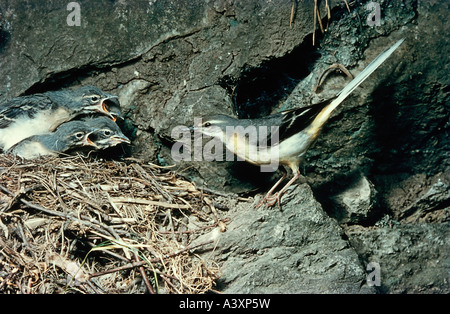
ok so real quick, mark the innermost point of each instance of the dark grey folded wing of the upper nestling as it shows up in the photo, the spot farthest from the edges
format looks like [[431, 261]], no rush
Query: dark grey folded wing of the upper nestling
[[21, 107]]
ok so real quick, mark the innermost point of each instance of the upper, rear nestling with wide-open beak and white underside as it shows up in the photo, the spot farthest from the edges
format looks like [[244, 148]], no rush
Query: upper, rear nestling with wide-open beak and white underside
[[26, 116]]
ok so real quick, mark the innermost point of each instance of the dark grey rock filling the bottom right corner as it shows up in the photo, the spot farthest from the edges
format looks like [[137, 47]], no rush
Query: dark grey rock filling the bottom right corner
[[412, 258]]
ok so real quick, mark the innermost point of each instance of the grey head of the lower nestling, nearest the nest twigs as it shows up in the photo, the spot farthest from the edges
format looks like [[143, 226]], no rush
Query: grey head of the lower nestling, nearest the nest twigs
[[106, 132]]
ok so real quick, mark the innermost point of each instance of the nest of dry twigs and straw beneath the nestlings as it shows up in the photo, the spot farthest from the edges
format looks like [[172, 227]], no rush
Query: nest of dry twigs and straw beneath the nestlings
[[86, 225]]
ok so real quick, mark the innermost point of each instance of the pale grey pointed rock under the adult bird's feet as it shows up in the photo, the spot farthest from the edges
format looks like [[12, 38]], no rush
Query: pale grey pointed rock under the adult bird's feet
[[298, 249]]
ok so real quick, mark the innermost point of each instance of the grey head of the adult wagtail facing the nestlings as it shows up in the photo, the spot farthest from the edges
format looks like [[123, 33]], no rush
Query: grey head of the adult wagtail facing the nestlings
[[214, 125]]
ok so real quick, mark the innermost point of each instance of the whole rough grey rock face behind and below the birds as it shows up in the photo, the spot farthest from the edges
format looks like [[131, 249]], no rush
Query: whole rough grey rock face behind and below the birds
[[377, 179]]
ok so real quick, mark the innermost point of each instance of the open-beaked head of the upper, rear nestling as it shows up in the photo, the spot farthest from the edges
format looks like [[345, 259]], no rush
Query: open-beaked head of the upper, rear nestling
[[91, 99]]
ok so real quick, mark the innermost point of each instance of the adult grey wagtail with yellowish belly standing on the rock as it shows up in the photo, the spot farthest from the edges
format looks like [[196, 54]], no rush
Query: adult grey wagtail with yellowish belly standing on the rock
[[287, 135]]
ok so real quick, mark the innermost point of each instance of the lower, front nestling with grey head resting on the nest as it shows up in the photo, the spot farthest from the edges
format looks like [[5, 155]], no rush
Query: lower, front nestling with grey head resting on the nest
[[94, 133]]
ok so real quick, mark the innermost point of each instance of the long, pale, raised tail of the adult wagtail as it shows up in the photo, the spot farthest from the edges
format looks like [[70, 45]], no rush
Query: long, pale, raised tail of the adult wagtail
[[347, 90]]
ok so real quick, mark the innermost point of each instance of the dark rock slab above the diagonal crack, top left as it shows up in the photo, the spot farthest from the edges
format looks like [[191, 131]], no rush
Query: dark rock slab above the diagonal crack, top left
[[47, 48]]
